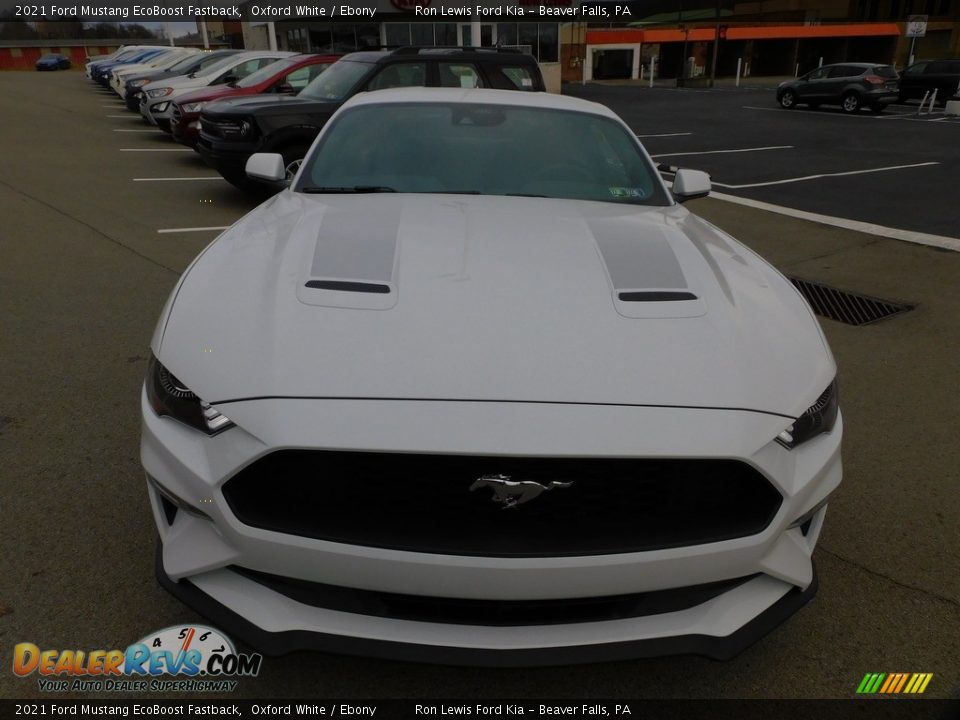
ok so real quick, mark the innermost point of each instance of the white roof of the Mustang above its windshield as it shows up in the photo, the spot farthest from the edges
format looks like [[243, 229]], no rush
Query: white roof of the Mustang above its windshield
[[486, 96]]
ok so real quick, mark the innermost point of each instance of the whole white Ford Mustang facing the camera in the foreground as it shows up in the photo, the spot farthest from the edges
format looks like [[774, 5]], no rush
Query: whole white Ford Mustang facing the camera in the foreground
[[477, 389]]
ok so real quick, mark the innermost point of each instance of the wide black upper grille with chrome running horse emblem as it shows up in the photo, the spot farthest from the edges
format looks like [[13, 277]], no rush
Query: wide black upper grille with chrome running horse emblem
[[423, 503]]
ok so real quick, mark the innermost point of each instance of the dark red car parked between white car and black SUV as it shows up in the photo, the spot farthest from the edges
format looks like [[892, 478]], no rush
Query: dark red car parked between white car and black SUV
[[284, 77]]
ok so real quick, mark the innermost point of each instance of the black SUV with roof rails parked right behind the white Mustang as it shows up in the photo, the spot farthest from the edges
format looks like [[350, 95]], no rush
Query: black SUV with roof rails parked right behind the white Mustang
[[233, 130]]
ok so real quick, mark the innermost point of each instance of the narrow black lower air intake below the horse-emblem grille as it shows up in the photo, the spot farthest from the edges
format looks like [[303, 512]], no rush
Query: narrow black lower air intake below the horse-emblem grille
[[503, 613]]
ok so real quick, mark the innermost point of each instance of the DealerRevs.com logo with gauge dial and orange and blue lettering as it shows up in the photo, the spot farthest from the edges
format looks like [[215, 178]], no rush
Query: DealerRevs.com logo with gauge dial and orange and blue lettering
[[201, 659]]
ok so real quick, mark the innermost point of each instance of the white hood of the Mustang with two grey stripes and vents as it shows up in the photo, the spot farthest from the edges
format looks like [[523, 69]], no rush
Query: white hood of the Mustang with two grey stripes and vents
[[490, 298]]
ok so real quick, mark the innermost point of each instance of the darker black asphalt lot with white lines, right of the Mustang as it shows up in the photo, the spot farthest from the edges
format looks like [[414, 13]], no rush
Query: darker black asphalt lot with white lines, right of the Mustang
[[896, 169]]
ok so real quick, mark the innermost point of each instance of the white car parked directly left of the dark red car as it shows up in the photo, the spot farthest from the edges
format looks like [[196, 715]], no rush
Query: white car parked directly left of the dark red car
[[156, 104]]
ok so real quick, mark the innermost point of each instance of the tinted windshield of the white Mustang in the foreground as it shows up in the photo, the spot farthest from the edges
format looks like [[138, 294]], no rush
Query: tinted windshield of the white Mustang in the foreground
[[482, 149]]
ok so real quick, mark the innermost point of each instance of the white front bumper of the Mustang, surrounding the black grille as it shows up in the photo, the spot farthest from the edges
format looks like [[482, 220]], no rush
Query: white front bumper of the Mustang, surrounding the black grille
[[206, 553]]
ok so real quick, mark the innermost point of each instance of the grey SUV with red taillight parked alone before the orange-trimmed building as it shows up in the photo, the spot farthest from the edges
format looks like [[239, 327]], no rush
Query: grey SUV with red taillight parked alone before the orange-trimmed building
[[852, 86]]
